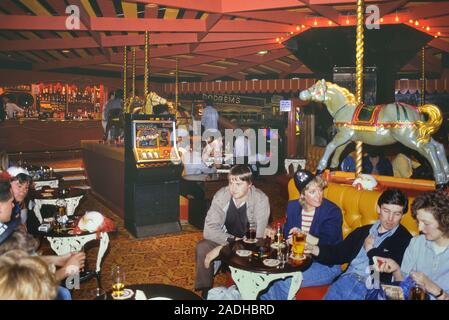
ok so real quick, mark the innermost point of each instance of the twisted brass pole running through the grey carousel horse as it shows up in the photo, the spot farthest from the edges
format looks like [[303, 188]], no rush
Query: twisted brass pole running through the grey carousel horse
[[359, 76]]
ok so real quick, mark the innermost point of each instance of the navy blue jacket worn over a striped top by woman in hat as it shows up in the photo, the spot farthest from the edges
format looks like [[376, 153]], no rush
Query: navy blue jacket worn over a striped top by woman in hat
[[326, 224]]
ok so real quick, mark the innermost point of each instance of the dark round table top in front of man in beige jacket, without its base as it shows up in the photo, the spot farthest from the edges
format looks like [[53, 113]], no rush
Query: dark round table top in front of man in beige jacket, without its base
[[255, 263]]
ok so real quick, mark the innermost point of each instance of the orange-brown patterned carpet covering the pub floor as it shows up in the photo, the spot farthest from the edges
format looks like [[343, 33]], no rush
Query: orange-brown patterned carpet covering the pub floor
[[168, 259]]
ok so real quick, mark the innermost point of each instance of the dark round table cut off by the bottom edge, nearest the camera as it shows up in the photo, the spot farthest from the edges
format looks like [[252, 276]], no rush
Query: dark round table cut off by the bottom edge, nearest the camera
[[154, 290]]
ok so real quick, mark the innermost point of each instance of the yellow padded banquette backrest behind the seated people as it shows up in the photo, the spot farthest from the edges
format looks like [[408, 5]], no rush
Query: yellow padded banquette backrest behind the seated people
[[357, 206]]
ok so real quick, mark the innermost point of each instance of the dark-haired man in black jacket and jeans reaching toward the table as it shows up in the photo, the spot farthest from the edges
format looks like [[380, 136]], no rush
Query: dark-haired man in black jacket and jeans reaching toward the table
[[385, 238]]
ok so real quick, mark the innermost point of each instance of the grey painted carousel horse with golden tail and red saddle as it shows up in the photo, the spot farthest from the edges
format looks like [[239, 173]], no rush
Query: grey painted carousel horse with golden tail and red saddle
[[379, 125]]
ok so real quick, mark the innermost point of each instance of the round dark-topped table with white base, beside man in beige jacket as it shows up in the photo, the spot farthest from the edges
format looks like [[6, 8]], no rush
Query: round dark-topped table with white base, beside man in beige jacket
[[250, 274]]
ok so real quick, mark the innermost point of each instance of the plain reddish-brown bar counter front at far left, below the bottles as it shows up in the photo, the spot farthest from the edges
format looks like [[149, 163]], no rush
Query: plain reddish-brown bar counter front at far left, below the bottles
[[34, 135]]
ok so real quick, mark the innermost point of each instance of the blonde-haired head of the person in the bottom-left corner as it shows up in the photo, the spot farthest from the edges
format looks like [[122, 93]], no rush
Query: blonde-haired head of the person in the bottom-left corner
[[26, 278]]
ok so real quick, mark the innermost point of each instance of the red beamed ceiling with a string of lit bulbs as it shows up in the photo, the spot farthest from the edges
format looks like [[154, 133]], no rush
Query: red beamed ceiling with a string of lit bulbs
[[210, 38]]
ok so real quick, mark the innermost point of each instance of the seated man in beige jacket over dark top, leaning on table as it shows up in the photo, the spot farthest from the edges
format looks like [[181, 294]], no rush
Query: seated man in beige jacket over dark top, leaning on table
[[231, 209]]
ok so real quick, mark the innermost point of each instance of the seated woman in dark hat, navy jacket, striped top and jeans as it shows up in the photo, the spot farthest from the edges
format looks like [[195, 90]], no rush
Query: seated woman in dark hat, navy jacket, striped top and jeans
[[315, 215]]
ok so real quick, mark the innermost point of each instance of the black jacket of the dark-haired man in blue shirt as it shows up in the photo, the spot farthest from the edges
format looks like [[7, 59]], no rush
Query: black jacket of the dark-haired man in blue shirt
[[344, 252]]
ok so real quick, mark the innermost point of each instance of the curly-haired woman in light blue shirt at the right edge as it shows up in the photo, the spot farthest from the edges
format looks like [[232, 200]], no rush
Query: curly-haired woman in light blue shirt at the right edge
[[426, 259]]
